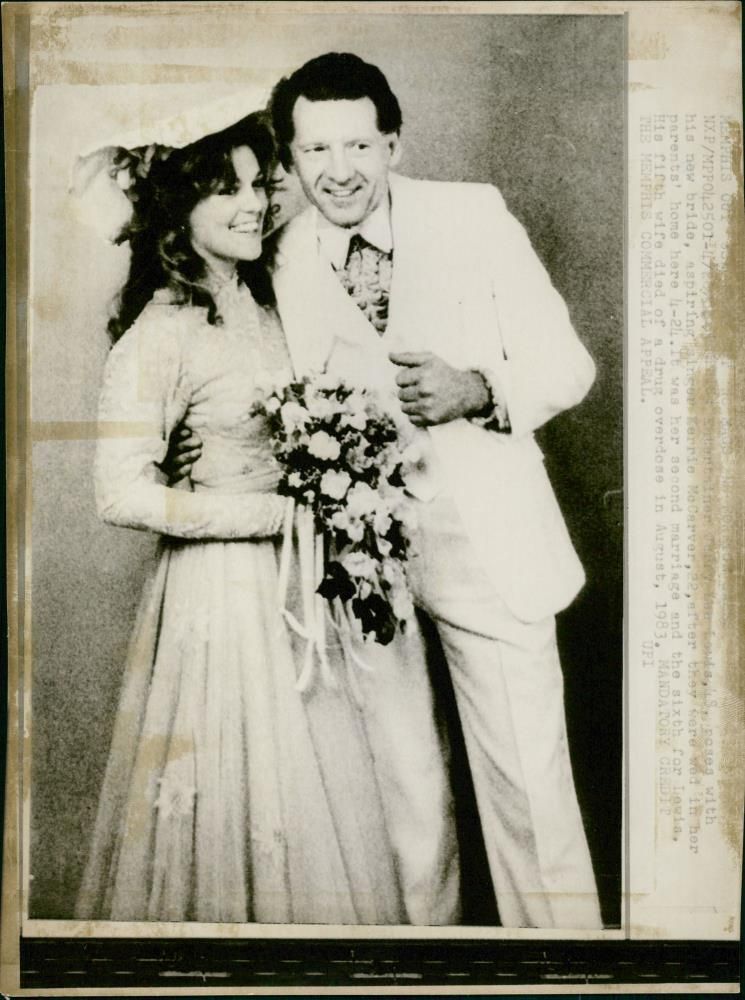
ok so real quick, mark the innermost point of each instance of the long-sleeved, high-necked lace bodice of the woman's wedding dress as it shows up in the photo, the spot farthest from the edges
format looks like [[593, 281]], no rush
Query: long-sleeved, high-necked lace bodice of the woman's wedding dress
[[173, 365]]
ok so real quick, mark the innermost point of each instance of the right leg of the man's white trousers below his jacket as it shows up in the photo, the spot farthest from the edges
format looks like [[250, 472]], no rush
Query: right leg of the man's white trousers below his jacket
[[509, 692]]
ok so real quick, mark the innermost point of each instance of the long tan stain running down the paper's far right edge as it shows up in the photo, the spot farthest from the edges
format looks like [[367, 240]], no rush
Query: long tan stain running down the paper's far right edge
[[718, 432]]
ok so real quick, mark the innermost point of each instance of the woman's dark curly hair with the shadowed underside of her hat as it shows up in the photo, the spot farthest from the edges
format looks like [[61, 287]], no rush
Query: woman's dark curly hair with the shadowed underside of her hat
[[164, 186]]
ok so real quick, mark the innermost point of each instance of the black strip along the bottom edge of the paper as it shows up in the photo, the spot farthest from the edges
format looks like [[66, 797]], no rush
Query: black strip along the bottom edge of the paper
[[73, 962]]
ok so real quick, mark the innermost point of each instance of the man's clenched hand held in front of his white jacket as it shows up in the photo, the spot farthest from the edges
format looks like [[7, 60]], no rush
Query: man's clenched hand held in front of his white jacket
[[433, 392]]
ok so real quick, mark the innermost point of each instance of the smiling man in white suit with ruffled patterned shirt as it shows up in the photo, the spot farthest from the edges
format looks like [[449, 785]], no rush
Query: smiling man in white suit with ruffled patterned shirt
[[431, 294]]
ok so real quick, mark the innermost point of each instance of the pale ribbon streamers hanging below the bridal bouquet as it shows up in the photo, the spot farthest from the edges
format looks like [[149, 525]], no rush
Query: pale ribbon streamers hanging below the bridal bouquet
[[310, 549]]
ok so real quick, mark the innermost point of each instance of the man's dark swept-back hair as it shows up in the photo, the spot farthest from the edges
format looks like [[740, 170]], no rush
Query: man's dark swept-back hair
[[335, 76]]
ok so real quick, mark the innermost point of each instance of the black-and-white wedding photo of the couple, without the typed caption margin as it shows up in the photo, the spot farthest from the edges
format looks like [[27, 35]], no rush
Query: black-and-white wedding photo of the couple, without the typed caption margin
[[323, 507]]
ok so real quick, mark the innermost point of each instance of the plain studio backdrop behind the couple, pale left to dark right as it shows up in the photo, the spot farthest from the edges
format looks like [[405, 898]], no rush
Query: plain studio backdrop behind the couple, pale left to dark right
[[533, 104]]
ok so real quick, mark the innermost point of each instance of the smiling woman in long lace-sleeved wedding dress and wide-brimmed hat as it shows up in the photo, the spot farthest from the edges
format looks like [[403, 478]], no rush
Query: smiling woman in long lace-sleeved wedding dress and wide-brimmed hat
[[229, 795]]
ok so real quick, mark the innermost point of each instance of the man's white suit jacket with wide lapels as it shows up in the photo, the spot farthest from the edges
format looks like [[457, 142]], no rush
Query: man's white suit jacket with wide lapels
[[468, 286]]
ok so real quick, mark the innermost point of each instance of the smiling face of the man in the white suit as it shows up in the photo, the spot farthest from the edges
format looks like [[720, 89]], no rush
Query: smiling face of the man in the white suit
[[341, 157]]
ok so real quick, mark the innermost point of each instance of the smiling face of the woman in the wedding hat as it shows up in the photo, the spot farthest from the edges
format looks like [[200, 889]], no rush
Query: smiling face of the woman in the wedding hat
[[227, 225]]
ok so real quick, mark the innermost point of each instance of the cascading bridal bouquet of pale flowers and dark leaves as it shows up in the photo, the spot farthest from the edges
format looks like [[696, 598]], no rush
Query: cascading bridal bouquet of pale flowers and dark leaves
[[342, 459]]
